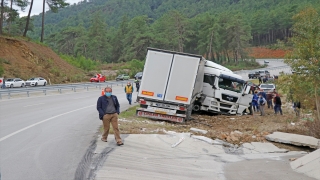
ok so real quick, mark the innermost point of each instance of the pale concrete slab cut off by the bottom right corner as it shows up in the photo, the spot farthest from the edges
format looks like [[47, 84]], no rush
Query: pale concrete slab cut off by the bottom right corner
[[308, 164]]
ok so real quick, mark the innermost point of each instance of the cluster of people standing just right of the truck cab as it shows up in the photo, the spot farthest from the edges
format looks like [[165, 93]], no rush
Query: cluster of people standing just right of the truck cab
[[262, 99]]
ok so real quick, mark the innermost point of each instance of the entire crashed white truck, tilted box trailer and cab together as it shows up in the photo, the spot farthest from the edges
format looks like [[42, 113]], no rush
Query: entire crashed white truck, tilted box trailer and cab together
[[174, 84]]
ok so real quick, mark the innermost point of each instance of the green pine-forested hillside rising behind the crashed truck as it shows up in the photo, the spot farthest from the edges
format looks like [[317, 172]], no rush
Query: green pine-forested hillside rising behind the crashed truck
[[120, 30]]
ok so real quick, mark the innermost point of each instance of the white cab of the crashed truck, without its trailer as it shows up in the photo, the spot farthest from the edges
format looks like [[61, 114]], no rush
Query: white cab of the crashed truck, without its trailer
[[224, 91]]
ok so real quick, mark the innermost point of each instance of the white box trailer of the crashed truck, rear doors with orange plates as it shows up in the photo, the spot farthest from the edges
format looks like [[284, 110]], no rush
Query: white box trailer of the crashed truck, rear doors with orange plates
[[170, 83]]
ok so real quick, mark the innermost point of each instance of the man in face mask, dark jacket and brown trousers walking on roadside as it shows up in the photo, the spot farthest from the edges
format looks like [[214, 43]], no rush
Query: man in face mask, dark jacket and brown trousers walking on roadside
[[109, 108]]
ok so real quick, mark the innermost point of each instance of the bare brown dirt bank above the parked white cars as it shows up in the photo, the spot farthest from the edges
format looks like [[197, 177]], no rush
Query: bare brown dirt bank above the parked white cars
[[25, 59]]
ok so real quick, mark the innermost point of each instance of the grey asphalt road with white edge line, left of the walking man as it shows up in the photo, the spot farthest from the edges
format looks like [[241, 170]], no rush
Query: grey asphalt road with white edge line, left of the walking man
[[45, 137]]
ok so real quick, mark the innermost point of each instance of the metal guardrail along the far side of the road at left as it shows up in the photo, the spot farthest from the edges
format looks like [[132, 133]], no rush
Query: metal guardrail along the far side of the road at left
[[59, 87]]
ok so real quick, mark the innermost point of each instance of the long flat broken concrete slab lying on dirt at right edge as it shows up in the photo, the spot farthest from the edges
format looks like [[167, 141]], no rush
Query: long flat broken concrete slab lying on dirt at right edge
[[295, 139]]
